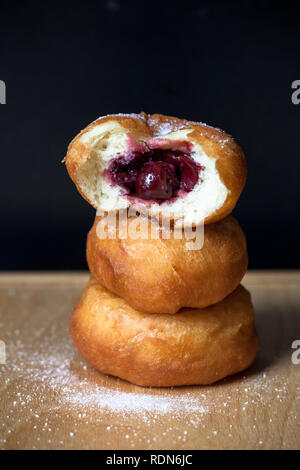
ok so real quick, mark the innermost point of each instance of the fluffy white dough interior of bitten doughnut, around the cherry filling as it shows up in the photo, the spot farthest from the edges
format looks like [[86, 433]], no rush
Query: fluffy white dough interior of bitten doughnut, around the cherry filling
[[109, 140]]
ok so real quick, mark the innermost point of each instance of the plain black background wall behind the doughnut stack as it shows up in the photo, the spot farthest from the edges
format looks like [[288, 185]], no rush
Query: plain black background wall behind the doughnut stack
[[230, 64]]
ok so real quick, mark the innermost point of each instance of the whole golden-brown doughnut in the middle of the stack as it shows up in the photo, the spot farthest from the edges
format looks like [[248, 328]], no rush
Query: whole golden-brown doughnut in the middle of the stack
[[160, 275]]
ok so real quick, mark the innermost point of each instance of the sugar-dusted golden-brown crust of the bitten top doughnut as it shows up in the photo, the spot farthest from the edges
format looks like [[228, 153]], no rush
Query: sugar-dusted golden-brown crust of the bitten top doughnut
[[230, 160]]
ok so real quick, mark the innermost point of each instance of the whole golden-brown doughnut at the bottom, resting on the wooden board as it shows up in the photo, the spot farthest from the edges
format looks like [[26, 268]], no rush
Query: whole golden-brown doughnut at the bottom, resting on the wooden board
[[194, 347]]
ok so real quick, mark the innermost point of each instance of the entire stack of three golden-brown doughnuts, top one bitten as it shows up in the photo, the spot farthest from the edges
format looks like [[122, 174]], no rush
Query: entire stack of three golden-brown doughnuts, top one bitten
[[158, 310]]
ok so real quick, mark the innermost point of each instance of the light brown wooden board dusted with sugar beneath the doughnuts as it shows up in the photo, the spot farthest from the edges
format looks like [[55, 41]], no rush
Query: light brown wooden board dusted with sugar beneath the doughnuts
[[52, 399]]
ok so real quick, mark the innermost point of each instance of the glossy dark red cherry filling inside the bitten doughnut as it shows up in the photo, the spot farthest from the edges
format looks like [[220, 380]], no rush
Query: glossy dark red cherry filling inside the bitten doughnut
[[156, 174]]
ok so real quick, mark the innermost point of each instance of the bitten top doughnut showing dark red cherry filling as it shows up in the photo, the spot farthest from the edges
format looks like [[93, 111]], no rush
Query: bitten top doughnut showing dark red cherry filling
[[158, 164]]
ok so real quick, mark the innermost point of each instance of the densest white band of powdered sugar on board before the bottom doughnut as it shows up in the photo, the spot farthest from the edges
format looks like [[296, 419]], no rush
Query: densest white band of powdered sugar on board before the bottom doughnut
[[53, 370]]
